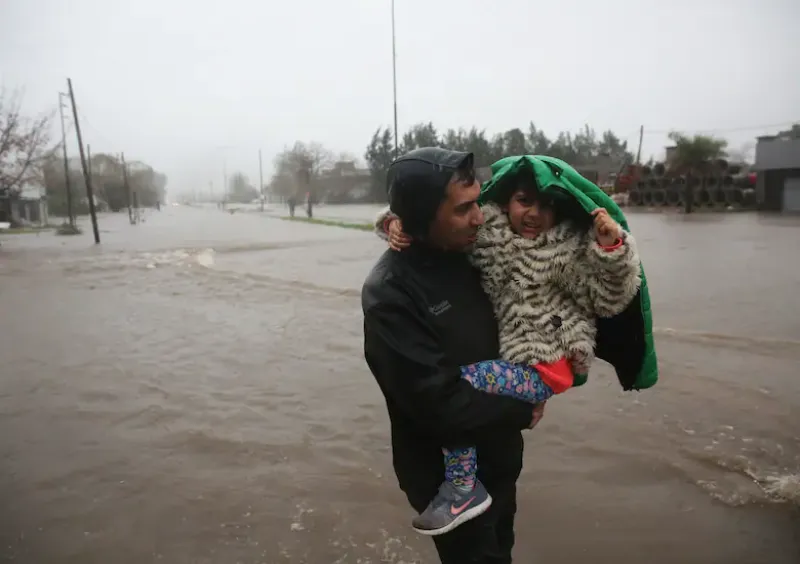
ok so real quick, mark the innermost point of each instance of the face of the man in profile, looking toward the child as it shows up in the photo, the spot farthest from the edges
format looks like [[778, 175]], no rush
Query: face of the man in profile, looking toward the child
[[458, 217]]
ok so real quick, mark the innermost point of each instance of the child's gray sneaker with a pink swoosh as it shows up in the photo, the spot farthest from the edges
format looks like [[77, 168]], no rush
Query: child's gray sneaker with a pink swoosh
[[450, 508]]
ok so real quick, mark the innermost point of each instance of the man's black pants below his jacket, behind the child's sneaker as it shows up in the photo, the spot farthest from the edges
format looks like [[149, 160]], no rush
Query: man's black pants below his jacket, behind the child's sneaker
[[487, 539]]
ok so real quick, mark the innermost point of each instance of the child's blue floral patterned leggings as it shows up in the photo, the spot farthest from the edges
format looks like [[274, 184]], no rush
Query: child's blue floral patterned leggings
[[495, 377]]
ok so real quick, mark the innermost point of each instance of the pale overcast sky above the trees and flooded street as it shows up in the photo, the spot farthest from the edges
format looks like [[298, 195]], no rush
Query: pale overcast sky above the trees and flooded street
[[180, 83]]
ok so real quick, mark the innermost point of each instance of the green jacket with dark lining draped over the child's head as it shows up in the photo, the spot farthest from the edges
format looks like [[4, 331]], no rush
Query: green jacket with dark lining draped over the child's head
[[626, 340]]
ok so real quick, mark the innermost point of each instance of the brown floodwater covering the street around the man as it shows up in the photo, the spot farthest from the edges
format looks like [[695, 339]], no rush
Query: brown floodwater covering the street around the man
[[194, 391]]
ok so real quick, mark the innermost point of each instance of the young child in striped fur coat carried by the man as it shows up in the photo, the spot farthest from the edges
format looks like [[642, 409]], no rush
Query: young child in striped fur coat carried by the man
[[550, 271]]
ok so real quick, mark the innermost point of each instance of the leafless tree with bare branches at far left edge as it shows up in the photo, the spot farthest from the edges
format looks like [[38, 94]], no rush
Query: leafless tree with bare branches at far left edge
[[23, 144]]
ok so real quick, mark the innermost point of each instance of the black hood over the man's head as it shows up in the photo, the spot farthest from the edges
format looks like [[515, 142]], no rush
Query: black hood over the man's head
[[417, 184]]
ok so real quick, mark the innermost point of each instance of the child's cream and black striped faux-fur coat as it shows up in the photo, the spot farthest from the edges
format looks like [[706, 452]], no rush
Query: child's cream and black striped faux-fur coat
[[548, 292]]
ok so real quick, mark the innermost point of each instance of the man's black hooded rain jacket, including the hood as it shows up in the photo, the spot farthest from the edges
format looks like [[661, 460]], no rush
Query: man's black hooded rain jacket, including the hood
[[425, 315]]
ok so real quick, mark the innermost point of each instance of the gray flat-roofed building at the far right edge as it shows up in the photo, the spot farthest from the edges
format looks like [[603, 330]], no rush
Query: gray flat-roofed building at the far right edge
[[778, 169]]
